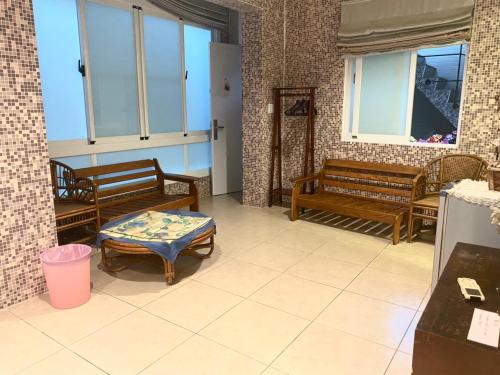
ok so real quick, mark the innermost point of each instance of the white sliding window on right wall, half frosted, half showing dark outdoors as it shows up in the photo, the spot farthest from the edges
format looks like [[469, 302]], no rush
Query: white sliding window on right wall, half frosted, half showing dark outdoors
[[409, 97]]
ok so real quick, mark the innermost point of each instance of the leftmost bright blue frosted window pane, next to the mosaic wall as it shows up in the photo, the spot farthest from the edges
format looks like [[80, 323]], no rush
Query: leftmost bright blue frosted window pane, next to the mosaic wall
[[56, 25]]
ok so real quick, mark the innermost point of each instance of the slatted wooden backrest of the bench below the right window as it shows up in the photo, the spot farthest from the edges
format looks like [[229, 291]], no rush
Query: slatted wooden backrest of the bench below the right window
[[392, 182]]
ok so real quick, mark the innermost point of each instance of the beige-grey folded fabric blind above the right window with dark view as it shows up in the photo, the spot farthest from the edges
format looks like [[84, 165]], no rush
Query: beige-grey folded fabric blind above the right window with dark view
[[385, 25]]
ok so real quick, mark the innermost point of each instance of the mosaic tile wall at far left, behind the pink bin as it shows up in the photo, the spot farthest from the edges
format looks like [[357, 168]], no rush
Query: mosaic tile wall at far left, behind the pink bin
[[27, 223]]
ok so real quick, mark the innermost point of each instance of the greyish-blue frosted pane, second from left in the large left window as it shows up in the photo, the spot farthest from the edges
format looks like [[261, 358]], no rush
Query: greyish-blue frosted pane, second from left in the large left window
[[113, 70]]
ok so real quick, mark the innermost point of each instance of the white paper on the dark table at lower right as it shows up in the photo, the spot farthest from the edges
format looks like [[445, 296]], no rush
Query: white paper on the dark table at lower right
[[485, 328]]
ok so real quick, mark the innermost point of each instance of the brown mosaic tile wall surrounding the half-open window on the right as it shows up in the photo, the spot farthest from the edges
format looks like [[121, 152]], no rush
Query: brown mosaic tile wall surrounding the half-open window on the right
[[311, 59]]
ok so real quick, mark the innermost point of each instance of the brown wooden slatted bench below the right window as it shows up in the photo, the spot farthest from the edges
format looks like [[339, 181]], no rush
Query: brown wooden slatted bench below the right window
[[371, 191]]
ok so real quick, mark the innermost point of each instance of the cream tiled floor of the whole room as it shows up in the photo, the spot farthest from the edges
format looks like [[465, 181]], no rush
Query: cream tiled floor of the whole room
[[277, 297]]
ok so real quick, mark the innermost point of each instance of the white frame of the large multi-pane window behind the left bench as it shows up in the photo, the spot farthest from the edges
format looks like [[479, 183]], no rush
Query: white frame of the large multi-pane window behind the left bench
[[93, 145]]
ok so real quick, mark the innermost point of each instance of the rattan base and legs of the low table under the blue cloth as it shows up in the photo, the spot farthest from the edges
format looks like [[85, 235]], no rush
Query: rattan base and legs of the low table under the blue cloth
[[204, 240]]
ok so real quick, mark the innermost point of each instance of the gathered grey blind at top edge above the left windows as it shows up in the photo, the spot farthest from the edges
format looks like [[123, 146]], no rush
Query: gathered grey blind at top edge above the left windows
[[199, 11]]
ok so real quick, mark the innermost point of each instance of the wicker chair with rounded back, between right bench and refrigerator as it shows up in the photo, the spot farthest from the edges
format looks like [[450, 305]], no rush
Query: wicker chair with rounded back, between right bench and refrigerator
[[439, 172]]
